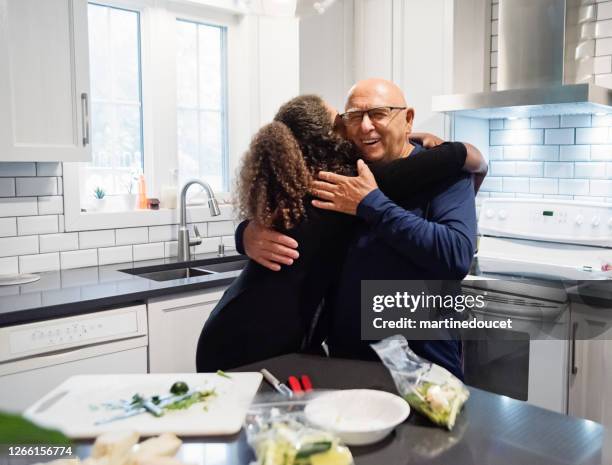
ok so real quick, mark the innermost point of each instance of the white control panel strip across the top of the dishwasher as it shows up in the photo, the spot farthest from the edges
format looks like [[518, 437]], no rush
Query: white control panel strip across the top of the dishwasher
[[63, 333]]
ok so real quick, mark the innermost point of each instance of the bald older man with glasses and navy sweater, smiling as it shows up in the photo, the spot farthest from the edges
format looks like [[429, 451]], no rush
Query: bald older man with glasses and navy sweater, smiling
[[429, 236]]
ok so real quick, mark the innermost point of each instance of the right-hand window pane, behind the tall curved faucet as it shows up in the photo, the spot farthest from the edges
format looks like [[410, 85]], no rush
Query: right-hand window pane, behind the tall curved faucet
[[201, 87]]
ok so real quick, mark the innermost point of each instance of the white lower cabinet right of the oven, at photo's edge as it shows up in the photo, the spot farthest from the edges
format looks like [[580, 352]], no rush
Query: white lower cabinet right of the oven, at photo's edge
[[590, 385]]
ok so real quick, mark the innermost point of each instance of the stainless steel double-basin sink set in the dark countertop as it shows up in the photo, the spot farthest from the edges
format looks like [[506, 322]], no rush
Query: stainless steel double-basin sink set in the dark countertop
[[183, 270]]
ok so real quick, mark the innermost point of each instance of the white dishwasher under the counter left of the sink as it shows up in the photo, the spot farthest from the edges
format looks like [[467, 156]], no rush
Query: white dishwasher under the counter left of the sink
[[36, 357]]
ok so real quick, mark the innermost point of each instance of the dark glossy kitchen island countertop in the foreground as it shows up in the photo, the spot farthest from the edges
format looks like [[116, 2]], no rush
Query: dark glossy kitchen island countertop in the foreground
[[492, 429]]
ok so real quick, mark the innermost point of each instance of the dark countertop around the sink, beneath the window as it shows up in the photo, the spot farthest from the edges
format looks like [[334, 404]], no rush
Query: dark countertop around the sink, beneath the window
[[80, 290]]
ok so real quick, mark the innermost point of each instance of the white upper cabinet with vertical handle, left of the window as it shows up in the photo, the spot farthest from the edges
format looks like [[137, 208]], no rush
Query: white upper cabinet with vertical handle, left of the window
[[44, 81]]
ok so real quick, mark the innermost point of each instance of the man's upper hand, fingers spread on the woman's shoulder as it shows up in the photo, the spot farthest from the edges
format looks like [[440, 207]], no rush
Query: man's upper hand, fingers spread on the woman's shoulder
[[343, 193]]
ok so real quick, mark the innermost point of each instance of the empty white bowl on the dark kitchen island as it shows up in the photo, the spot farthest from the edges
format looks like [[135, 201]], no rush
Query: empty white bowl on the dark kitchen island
[[358, 416]]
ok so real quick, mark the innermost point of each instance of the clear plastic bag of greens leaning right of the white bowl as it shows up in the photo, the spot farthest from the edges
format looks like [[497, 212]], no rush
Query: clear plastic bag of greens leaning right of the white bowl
[[428, 388]]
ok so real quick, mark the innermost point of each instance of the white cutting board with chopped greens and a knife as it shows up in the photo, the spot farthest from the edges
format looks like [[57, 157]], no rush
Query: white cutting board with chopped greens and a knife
[[68, 407]]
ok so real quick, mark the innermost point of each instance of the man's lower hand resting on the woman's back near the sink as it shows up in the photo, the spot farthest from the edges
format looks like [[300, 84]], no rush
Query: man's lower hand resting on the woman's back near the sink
[[269, 248]]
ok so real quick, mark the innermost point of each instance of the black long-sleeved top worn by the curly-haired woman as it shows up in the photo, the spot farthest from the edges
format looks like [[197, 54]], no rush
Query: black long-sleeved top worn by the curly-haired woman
[[267, 313]]
